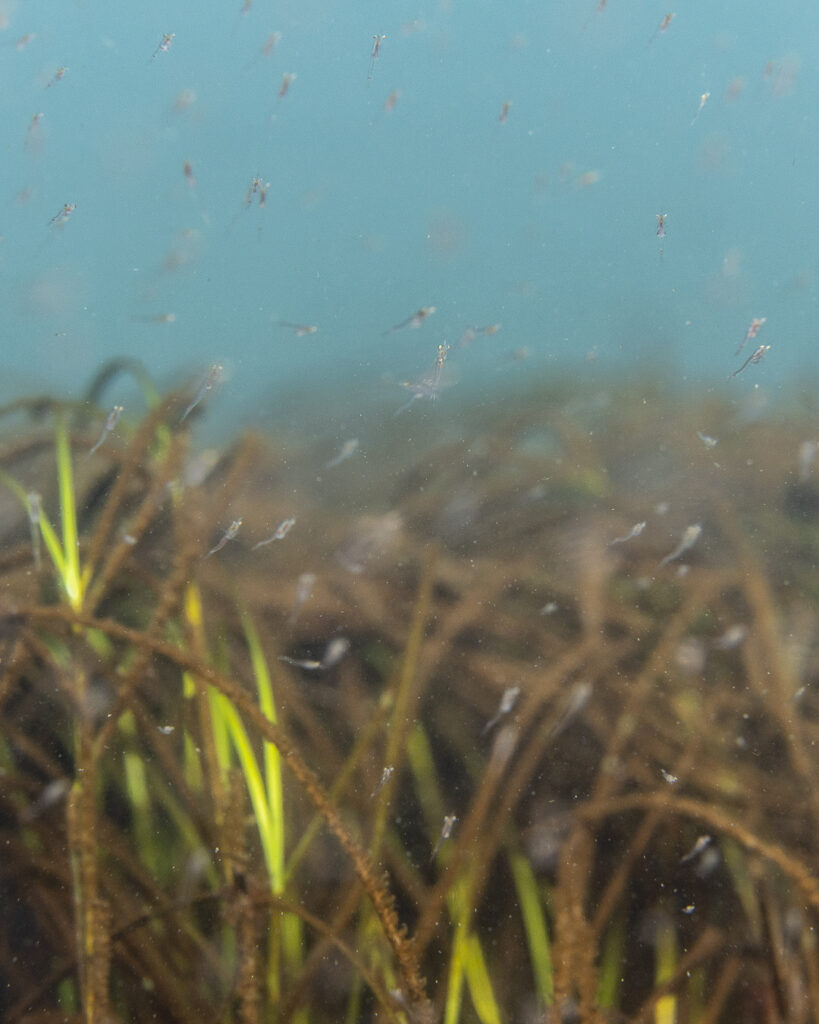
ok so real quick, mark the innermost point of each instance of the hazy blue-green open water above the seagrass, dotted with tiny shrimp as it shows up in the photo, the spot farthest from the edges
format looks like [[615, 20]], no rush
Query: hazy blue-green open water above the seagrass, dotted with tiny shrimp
[[544, 222]]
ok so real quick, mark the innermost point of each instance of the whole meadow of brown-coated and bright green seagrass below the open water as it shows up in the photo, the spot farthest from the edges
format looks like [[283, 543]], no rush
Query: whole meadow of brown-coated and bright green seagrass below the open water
[[519, 722]]
